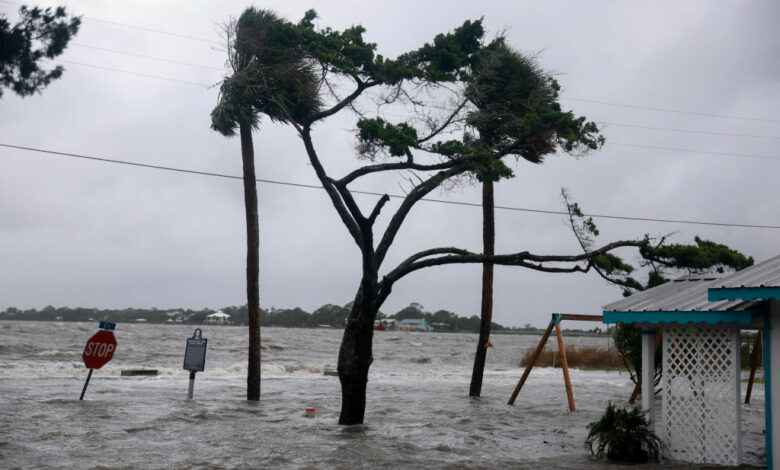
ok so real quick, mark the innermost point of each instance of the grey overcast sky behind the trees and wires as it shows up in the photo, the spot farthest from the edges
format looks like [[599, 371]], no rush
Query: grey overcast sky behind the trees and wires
[[83, 233]]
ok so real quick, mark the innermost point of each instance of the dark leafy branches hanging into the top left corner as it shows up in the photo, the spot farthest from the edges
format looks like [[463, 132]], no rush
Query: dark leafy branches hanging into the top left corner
[[40, 34]]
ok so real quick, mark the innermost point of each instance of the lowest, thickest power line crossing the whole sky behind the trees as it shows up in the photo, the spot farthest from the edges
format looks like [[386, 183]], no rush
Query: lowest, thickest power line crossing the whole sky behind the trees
[[372, 193]]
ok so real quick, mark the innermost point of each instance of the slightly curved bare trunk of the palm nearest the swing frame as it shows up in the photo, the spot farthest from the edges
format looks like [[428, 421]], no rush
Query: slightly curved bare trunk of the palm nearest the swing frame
[[489, 246]]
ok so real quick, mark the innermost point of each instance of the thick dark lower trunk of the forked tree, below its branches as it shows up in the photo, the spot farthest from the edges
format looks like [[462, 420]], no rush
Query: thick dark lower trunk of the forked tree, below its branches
[[355, 354]]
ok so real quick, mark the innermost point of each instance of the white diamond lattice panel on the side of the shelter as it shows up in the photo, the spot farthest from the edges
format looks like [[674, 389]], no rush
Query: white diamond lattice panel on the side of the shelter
[[701, 408]]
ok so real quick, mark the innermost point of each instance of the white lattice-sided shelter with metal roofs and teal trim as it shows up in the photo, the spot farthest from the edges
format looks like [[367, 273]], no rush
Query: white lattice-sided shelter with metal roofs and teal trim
[[701, 318]]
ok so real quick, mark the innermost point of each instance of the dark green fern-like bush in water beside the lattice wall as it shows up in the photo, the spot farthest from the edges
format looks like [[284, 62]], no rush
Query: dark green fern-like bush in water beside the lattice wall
[[623, 435]]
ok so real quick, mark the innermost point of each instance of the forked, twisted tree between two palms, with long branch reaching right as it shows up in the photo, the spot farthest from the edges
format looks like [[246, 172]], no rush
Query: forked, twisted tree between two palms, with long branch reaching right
[[429, 83]]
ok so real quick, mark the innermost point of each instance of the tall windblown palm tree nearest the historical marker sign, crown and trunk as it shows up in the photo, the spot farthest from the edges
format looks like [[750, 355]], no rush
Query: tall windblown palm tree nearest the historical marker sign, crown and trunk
[[271, 77]]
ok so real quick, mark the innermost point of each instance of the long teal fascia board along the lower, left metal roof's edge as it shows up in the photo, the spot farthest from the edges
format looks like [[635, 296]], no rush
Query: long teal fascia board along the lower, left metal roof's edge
[[655, 317]]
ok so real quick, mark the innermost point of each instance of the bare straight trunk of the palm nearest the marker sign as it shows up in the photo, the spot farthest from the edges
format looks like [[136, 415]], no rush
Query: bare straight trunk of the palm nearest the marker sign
[[252, 262]]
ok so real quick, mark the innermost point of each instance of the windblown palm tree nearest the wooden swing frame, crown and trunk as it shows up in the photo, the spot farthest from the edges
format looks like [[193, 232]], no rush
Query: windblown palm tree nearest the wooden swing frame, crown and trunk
[[515, 114]]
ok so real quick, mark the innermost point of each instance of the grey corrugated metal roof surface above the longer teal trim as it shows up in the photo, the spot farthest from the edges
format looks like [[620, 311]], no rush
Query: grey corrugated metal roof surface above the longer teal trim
[[687, 293]]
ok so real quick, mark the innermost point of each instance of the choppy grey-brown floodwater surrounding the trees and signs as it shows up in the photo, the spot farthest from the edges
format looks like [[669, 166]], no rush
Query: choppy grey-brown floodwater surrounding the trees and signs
[[419, 414]]
